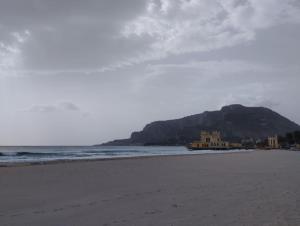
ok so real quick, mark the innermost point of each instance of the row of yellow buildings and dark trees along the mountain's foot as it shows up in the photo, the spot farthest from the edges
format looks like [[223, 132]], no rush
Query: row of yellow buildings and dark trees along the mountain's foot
[[213, 140]]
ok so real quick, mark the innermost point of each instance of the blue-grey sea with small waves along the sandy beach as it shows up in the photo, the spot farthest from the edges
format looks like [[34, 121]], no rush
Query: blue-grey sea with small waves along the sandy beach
[[10, 155]]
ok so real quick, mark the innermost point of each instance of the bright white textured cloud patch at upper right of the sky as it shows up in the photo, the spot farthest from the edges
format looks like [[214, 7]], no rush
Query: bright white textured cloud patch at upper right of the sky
[[186, 26]]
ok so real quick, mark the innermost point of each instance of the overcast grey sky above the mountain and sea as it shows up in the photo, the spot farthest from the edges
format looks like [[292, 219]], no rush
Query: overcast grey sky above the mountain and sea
[[78, 72]]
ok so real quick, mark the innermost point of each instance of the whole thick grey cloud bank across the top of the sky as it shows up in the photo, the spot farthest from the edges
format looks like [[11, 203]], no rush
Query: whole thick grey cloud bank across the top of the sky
[[37, 37]]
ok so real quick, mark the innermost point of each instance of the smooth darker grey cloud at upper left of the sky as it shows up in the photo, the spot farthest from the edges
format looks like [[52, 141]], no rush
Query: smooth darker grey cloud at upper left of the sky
[[64, 35]]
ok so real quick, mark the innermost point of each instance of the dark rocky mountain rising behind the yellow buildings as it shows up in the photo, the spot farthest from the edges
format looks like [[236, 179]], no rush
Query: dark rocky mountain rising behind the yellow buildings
[[235, 122]]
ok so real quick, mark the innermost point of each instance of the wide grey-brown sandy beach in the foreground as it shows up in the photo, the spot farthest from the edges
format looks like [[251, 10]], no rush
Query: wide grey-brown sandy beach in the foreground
[[257, 188]]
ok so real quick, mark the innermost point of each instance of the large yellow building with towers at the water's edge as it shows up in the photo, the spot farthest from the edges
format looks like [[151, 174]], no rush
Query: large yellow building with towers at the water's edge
[[209, 141]]
